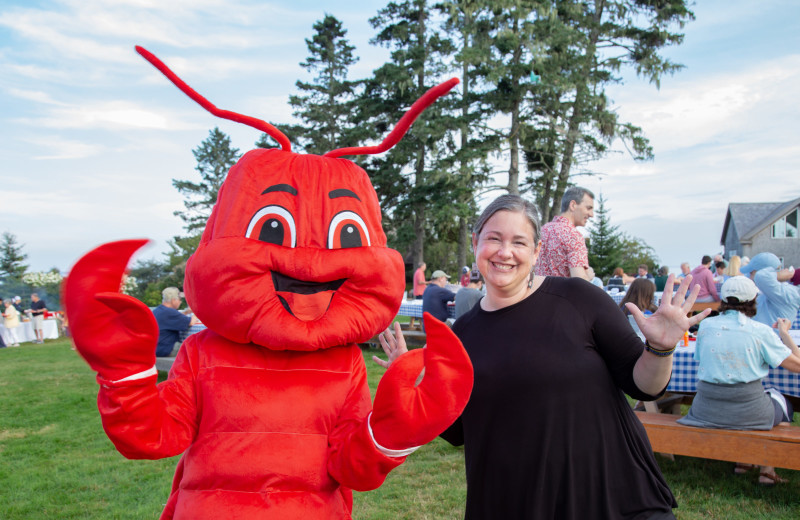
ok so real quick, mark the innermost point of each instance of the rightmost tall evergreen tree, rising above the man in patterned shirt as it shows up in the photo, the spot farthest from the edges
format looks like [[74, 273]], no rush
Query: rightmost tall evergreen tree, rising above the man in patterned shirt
[[587, 45]]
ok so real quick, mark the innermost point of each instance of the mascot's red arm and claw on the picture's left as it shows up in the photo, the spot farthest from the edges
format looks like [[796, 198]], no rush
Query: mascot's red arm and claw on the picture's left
[[116, 335]]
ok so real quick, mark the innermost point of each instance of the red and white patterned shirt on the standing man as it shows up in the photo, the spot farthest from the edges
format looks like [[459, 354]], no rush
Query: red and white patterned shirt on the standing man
[[563, 247]]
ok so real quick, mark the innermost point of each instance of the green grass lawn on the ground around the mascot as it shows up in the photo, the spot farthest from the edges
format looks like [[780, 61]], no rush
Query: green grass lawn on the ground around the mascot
[[56, 462]]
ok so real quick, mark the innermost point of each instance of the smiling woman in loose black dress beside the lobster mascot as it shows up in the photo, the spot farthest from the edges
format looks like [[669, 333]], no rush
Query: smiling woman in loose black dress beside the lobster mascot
[[562, 344]]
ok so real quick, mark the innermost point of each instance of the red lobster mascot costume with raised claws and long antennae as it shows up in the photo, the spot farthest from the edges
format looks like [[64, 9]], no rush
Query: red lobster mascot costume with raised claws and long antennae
[[270, 406]]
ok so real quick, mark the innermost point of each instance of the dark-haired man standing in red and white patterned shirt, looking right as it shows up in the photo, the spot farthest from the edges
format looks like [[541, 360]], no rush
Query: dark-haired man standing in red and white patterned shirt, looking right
[[563, 247]]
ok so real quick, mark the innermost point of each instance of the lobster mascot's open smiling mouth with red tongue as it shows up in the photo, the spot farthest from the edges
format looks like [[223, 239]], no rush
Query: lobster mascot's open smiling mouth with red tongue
[[304, 300]]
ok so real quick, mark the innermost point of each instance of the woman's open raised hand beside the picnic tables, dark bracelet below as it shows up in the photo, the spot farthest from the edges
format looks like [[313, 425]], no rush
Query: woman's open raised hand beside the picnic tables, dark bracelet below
[[665, 328]]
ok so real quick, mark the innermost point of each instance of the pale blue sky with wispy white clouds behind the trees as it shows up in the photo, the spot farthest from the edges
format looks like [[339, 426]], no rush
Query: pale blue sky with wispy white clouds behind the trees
[[91, 135]]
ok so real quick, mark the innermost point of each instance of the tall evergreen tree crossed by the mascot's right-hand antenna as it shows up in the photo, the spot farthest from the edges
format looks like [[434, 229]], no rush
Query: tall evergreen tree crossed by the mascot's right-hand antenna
[[416, 64]]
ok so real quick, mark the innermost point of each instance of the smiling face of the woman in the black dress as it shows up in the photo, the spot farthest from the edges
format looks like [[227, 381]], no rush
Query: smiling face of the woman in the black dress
[[505, 251]]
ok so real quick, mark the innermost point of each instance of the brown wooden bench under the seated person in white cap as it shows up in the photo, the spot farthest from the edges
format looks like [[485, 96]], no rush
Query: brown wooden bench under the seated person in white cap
[[779, 447]]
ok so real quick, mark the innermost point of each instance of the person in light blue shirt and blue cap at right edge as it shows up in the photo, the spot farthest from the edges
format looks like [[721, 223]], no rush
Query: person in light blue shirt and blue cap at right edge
[[778, 298]]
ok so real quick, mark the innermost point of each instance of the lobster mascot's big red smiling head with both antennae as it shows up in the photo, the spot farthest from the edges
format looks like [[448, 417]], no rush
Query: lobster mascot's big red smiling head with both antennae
[[294, 250]]
